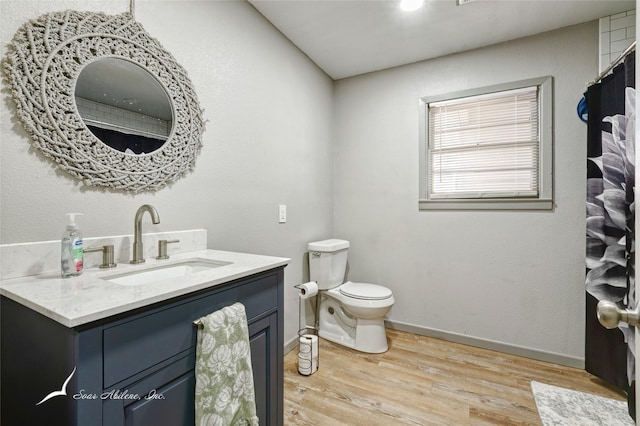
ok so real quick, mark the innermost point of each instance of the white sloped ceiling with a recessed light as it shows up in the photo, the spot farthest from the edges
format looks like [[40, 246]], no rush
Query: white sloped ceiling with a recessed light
[[347, 38]]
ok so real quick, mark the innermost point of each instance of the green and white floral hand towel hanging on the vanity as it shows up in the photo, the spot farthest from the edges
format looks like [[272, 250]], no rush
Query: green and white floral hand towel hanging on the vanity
[[224, 378]]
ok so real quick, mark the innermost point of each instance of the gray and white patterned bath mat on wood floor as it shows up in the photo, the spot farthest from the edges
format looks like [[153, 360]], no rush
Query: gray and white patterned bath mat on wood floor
[[564, 407]]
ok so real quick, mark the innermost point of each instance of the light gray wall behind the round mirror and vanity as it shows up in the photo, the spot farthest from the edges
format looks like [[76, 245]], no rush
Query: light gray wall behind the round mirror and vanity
[[267, 141]]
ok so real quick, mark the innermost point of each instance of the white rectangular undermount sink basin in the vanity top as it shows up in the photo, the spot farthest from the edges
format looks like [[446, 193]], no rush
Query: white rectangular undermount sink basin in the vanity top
[[176, 270]]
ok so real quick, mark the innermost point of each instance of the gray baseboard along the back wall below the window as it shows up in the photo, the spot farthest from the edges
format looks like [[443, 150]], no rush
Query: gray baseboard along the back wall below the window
[[536, 354]]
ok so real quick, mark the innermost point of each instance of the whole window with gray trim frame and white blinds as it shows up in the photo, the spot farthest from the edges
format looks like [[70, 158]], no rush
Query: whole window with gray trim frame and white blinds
[[488, 148]]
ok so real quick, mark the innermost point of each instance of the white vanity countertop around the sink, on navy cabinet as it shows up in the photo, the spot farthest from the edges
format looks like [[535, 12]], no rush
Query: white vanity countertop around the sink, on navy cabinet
[[80, 300]]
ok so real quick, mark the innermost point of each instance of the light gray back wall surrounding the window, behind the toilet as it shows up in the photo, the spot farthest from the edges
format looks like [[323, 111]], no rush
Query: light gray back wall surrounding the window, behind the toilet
[[516, 278]]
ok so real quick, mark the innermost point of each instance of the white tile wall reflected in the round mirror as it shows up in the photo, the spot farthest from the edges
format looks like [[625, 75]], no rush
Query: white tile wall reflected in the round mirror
[[135, 123]]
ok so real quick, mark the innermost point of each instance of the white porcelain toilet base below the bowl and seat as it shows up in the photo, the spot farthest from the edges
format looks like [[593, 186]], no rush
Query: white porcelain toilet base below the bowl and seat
[[364, 335]]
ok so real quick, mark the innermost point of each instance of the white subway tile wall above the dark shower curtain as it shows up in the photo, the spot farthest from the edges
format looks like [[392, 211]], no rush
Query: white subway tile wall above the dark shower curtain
[[617, 32]]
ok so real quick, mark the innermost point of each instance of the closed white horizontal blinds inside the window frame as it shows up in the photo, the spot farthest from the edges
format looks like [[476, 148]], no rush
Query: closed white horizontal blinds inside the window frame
[[484, 146]]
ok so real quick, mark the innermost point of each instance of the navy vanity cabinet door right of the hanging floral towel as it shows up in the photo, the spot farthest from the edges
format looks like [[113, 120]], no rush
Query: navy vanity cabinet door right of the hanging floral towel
[[264, 359]]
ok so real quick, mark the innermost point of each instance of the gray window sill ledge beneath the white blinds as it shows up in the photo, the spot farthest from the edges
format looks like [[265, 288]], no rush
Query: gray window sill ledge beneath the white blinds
[[489, 204]]
